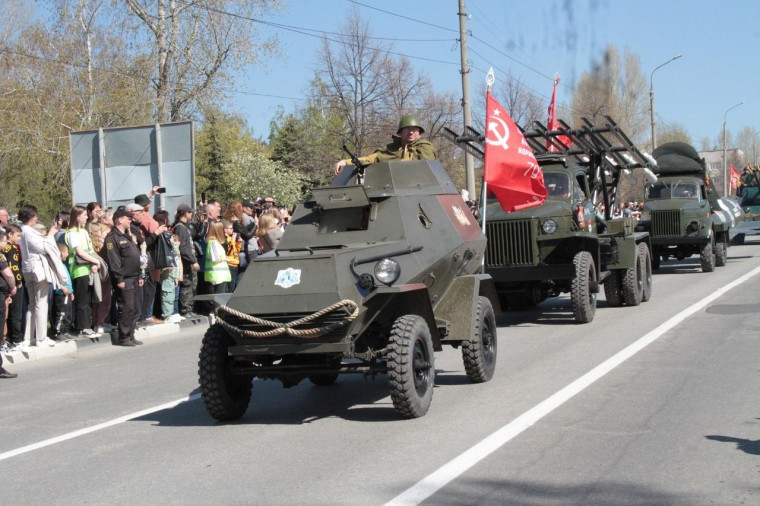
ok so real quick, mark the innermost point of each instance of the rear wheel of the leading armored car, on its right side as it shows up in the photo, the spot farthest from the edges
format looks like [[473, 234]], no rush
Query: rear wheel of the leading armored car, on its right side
[[479, 353]]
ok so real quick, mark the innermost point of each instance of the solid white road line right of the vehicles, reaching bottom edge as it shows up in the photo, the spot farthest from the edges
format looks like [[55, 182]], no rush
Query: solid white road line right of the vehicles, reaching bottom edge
[[438, 479]]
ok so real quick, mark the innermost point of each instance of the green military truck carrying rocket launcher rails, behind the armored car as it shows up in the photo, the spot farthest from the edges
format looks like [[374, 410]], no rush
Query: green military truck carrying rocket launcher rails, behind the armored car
[[570, 243]]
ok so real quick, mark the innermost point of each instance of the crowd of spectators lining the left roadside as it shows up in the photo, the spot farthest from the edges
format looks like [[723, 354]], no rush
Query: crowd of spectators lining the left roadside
[[96, 271]]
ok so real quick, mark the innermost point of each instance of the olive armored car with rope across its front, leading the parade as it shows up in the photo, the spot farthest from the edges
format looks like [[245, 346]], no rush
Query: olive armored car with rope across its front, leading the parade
[[373, 275]]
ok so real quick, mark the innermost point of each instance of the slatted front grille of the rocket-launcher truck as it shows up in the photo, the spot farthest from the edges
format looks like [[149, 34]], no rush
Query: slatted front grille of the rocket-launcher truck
[[510, 242]]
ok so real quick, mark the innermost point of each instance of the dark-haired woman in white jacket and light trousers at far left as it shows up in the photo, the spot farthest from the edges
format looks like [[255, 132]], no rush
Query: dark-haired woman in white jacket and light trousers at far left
[[39, 270]]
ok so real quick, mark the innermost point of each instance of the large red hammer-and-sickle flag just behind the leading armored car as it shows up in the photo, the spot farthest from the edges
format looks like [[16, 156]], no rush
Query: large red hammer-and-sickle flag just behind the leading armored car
[[510, 169]]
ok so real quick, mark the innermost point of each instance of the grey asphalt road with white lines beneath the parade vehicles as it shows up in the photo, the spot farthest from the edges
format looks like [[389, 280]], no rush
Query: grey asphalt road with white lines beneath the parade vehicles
[[645, 405]]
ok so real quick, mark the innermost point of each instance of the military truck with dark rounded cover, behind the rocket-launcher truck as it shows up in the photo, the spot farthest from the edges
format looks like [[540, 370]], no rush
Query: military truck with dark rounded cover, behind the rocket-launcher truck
[[682, 212]]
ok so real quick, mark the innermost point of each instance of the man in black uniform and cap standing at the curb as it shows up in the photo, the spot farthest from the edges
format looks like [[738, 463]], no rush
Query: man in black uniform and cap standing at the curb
[[124, 264]]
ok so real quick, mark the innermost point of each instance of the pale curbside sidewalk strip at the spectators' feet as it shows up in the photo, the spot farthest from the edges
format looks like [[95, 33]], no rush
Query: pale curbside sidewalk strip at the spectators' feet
[[75, 345]]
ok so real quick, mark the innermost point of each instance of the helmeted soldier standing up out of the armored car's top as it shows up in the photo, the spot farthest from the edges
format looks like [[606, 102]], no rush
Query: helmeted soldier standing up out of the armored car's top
[[406, 145]]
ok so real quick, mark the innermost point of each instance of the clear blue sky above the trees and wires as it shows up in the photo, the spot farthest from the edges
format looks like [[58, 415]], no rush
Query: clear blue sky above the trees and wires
[[535, 39]]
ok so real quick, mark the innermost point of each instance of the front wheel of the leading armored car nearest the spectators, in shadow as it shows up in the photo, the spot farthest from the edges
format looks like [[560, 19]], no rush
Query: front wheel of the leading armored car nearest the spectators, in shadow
[[226, 396]]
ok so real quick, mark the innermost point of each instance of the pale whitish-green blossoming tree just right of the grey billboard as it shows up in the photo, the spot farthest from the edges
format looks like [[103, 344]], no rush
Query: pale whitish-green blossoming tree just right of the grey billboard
[[250, 174]]
